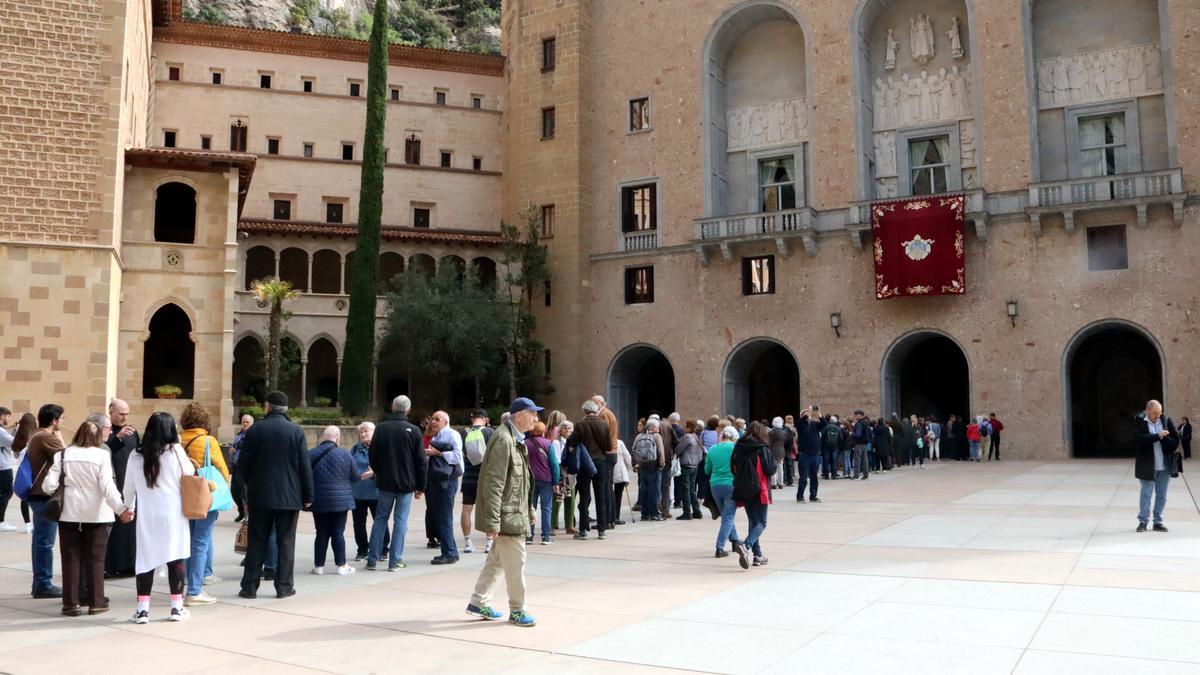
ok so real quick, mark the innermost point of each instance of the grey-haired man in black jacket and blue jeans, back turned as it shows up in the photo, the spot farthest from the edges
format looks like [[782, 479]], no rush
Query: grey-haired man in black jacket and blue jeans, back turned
[[398, 458]]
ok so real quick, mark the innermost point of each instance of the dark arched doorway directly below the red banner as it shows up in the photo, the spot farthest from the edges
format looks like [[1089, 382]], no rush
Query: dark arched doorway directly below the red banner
[[927, 374]]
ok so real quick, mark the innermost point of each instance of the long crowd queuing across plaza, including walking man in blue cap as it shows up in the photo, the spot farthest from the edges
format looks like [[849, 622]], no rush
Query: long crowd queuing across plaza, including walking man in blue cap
[[112, 495]]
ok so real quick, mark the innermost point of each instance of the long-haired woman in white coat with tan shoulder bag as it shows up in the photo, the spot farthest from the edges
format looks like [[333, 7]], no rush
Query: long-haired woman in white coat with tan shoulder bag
[[152, 489]]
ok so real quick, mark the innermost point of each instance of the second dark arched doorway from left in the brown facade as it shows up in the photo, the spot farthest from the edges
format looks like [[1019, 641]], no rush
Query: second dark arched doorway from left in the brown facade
[[763, 380]]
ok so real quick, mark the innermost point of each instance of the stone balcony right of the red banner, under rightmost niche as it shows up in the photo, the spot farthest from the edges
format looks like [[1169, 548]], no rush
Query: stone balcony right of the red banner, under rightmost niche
[[1138, 190]]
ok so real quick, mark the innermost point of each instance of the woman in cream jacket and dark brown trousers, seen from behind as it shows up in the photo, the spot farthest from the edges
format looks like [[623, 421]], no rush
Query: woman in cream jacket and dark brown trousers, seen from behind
[[91, 500]]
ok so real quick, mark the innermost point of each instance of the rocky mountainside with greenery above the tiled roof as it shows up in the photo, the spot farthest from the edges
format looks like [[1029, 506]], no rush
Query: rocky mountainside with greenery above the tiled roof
[[470, 26]]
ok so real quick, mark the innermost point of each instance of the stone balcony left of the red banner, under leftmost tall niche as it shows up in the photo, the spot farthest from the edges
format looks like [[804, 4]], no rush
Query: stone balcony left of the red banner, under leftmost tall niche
[[782, 228]]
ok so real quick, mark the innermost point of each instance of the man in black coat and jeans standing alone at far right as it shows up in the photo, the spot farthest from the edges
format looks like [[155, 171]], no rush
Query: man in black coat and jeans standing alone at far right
[[1155, 441]]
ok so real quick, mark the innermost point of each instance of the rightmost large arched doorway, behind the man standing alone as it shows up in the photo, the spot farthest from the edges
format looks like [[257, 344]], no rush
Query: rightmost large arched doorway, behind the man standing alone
[[1111, 371]]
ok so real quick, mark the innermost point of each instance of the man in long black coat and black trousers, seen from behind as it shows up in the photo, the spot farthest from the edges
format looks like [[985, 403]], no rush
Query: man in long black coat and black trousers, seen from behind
[[275, 465]]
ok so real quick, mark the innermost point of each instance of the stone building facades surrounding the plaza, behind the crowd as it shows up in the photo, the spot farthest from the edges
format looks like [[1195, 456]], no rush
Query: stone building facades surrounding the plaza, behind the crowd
[[704, 169]]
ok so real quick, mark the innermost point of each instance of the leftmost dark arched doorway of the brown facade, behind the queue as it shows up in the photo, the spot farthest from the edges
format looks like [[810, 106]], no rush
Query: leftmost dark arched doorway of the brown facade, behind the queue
[[640, 380]]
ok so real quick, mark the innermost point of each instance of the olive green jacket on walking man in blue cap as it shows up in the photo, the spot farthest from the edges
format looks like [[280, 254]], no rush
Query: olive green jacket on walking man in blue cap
[[502, 501]]
